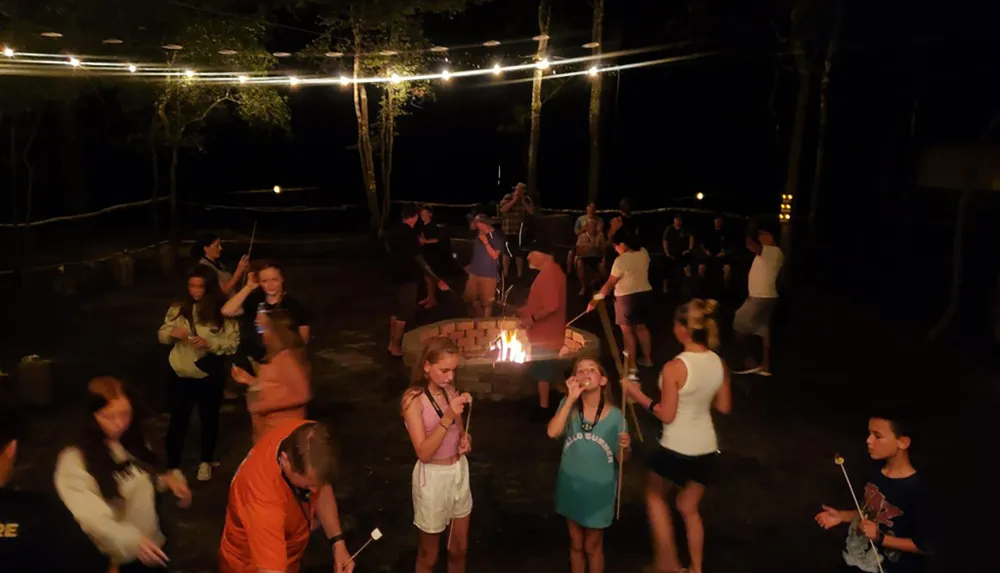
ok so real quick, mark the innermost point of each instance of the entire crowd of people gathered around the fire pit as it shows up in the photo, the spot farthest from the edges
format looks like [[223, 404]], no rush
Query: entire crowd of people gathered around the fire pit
[[246, 327]]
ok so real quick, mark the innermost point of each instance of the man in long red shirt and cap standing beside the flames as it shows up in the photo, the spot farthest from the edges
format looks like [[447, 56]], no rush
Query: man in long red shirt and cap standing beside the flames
[[544, 319]]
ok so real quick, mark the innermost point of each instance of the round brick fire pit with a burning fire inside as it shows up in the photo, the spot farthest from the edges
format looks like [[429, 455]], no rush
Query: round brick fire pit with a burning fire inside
[[494, 352]]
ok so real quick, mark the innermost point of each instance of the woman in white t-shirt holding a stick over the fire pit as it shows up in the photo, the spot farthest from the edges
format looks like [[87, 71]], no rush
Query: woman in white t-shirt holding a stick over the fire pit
[[629, 281]]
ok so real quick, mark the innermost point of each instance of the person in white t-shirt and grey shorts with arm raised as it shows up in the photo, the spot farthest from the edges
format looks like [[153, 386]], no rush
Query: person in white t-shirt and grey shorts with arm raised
[[754, 317]]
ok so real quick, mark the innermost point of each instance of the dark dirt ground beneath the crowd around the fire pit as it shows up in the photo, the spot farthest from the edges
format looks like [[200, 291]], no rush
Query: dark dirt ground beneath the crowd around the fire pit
[[833, 366]]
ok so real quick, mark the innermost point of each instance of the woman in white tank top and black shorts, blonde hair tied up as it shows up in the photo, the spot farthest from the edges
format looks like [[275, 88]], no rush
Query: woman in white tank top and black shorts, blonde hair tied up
[[690, 386]]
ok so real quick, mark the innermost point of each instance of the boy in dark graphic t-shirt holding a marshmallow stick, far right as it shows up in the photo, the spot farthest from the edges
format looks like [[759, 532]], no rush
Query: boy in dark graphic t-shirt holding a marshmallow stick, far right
[[895, 512]]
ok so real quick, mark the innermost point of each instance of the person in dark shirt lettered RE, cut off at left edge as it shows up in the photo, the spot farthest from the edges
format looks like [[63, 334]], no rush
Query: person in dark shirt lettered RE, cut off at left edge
[[38, 533]]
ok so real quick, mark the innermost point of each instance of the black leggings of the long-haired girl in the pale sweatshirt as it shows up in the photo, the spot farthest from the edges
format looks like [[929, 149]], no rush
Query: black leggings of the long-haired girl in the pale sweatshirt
[[184, 394]]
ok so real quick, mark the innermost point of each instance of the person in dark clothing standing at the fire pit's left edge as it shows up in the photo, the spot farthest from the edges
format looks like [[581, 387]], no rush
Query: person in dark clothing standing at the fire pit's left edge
[[407, 269]]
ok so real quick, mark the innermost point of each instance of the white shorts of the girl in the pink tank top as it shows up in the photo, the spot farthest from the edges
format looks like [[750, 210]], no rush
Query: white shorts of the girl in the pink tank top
[[440, 494]]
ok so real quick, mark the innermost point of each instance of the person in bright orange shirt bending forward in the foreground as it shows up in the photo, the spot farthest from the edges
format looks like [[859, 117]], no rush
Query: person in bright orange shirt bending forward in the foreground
[[280, 493]]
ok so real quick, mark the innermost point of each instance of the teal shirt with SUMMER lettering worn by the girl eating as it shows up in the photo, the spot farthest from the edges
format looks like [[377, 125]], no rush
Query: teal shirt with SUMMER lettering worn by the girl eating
[[588, 473]]
